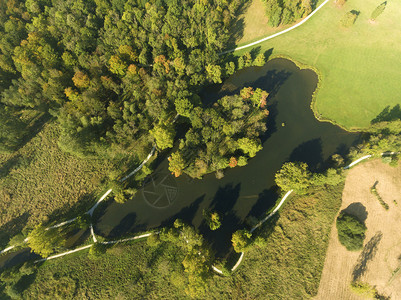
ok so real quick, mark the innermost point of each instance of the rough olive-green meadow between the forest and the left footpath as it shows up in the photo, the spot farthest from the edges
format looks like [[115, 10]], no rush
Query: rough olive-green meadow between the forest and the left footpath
[[40, 183]]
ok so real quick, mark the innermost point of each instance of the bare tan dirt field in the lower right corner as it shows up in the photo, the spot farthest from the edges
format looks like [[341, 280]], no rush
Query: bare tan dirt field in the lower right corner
[[382, 246]]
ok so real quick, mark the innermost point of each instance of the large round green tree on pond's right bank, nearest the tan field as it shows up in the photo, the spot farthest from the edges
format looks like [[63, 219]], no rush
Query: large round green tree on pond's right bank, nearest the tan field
[[294, 176]]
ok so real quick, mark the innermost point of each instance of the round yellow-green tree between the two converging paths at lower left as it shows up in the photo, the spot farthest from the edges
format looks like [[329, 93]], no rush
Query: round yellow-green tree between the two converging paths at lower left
[[45, 242]]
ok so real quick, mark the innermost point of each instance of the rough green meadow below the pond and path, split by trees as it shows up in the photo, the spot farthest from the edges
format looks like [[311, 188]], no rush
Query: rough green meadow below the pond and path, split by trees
[[289, 266]]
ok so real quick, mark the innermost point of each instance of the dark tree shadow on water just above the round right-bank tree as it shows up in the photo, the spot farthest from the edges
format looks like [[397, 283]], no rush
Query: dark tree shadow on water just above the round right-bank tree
[[309, 152]]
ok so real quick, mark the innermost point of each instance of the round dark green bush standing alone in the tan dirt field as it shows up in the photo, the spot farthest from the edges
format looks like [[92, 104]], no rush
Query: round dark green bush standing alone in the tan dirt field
[[351, 231]]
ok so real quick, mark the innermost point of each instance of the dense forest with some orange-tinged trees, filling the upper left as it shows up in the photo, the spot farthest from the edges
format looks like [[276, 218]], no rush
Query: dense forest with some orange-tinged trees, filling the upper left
[[112, 73]]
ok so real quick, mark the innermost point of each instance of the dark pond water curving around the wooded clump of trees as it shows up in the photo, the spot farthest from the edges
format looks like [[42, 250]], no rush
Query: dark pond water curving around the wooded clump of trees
[[244, 191]]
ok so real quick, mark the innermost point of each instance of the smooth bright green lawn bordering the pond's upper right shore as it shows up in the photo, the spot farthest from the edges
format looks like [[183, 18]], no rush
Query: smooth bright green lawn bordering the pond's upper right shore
[[359, 66]]
